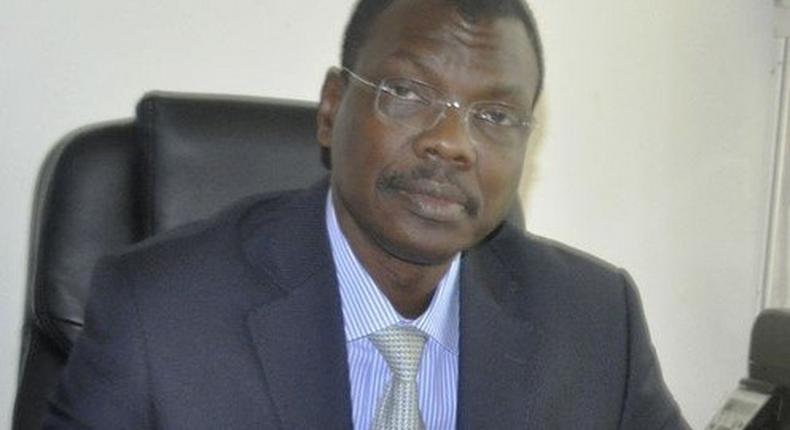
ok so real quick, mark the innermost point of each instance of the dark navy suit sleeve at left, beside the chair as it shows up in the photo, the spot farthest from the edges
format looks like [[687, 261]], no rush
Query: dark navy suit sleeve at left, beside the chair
[[105, 382]]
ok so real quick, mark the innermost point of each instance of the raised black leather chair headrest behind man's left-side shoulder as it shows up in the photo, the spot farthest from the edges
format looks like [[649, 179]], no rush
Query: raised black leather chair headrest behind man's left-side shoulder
[[204, 152]]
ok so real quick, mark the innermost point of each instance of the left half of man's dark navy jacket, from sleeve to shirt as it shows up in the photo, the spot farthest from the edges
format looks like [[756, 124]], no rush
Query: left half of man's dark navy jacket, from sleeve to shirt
[[233, 322]]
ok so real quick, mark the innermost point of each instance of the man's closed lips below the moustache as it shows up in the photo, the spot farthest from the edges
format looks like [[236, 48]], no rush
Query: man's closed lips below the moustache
[[435, 201]]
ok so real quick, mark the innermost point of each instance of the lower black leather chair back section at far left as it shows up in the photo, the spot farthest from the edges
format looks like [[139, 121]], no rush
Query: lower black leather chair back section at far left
[[86, 204]]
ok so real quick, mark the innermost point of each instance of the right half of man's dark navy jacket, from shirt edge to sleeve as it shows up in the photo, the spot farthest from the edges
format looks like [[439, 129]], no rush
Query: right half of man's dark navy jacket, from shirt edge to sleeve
[[559, 337]]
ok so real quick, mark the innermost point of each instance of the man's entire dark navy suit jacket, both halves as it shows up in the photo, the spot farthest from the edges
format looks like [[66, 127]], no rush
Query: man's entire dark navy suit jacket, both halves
[[236, 324]]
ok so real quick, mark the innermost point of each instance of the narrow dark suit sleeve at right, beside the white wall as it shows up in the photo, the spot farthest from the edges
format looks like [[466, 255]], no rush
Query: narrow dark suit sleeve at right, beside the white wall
[[648, 403]]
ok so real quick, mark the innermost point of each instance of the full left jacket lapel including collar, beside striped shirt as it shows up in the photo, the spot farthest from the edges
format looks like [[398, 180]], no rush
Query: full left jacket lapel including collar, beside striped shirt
[[298, 331]]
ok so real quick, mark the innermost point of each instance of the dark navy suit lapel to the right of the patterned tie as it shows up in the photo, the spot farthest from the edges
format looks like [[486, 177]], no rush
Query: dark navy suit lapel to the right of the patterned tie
[[497, 370]]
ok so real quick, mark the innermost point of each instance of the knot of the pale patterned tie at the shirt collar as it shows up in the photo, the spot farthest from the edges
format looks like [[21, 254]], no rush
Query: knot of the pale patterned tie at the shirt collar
[[401, 347]]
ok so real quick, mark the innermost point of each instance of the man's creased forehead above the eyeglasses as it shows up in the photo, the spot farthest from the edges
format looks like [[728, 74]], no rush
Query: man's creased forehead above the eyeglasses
[[430, 40]]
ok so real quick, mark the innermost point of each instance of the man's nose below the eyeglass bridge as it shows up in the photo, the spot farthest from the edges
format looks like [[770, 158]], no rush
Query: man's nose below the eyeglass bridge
[[448, 141]]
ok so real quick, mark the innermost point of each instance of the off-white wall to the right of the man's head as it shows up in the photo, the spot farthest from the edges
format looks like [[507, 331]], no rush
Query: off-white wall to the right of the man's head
[[656, 157]]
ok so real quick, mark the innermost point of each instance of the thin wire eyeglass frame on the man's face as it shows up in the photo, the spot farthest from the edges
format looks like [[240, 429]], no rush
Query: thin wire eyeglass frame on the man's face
[[529, 124]]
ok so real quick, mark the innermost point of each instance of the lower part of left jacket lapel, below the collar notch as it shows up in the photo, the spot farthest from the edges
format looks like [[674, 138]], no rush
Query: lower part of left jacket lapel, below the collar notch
[[301, 346]]
